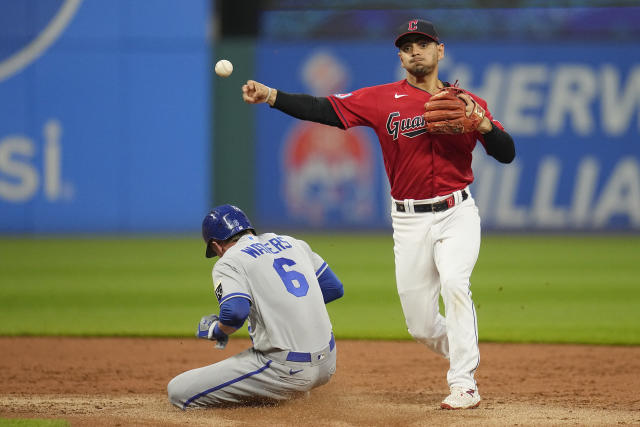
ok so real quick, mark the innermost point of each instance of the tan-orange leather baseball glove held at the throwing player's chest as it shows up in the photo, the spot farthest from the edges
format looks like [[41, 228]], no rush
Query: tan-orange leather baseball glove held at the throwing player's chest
[[446, 113]]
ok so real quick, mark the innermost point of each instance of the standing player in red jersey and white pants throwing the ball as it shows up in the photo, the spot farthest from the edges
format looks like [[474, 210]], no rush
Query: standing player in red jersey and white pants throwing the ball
[[427, 130]]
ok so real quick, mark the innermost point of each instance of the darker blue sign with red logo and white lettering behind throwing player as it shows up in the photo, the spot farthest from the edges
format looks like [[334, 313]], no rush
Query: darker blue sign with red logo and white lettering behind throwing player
[[573, 110]]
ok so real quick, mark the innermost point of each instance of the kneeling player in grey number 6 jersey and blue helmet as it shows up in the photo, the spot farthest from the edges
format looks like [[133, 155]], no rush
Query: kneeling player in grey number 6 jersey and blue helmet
[[281, 286]]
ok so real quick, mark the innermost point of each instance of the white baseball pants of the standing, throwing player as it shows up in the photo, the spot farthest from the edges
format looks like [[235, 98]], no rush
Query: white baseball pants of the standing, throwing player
[[435, 253]]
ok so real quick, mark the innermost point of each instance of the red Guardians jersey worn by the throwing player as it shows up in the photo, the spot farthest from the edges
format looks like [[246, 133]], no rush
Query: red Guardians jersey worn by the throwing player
[[419, 165]]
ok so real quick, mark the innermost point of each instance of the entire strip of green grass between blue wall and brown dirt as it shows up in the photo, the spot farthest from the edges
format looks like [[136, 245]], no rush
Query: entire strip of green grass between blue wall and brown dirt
[[582, 289]]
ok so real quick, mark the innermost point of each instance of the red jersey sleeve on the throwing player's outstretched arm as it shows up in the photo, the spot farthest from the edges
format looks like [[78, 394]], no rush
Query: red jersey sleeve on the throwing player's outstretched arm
[[357, 108]]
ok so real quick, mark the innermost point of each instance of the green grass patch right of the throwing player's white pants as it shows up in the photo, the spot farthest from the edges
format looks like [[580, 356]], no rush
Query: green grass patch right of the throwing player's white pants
[[559, 289]]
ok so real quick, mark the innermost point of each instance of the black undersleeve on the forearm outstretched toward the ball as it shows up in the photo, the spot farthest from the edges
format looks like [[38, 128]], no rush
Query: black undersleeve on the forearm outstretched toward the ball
[[307, 107]]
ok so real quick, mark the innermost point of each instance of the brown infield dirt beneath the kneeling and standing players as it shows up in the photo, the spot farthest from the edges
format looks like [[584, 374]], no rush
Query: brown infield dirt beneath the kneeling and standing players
[[122, 381]]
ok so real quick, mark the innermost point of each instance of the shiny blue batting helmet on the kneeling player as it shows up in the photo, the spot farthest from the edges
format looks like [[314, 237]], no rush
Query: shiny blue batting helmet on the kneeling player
[[222, 223]]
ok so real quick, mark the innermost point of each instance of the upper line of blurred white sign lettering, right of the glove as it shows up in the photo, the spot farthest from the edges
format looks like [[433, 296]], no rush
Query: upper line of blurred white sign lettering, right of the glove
[[537, 99]]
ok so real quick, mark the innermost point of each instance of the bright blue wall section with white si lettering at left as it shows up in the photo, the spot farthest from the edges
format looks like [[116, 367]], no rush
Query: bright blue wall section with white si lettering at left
[[104, 115]]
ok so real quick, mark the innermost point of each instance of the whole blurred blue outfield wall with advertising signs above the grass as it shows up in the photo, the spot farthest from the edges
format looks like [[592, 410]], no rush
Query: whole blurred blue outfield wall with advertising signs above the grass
[[112, 120]]
